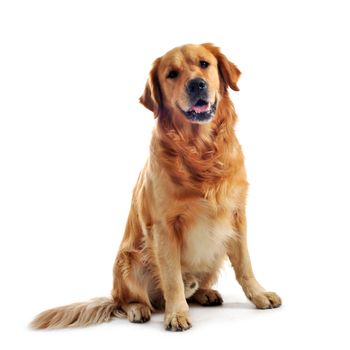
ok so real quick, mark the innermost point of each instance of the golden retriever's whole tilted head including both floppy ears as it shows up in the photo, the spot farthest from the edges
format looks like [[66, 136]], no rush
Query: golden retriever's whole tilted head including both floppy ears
[[189, 82]]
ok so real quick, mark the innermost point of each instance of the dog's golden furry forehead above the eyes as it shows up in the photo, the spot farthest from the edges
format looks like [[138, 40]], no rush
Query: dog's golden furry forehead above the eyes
[[189, 54]]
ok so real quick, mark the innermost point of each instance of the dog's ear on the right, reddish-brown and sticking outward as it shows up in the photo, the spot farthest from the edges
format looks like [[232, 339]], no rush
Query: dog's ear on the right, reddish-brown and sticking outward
[[229, 73]]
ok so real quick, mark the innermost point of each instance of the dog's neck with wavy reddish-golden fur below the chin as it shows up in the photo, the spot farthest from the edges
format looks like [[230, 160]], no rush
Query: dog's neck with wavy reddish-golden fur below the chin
[[197, 157]]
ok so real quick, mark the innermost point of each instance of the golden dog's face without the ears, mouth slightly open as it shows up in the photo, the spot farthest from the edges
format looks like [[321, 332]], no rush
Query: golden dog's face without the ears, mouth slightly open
[[189, 81]]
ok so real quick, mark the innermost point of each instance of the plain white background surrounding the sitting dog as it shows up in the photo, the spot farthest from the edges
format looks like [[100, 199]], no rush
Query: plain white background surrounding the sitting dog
[[73, 139]]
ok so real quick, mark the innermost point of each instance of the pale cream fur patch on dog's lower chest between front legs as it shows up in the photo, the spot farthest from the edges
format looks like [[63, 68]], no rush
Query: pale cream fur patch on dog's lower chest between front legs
[[205, 242]]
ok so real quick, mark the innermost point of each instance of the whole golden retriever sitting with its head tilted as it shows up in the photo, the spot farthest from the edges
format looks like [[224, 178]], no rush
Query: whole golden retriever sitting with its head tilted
[[188, 207]]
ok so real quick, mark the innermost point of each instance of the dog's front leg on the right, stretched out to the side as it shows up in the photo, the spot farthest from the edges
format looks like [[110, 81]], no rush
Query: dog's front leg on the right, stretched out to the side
[[240, 260]]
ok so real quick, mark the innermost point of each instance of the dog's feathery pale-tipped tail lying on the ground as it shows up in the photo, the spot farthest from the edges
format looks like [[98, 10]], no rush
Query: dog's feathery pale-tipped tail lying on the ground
[[94, 311]]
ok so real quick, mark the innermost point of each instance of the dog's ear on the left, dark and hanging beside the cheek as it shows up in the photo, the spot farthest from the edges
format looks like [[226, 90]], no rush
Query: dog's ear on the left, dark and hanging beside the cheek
[[152, 96]]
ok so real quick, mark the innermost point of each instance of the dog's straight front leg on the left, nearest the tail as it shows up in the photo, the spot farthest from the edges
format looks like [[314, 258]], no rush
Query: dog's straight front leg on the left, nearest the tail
[[168, 255]]
